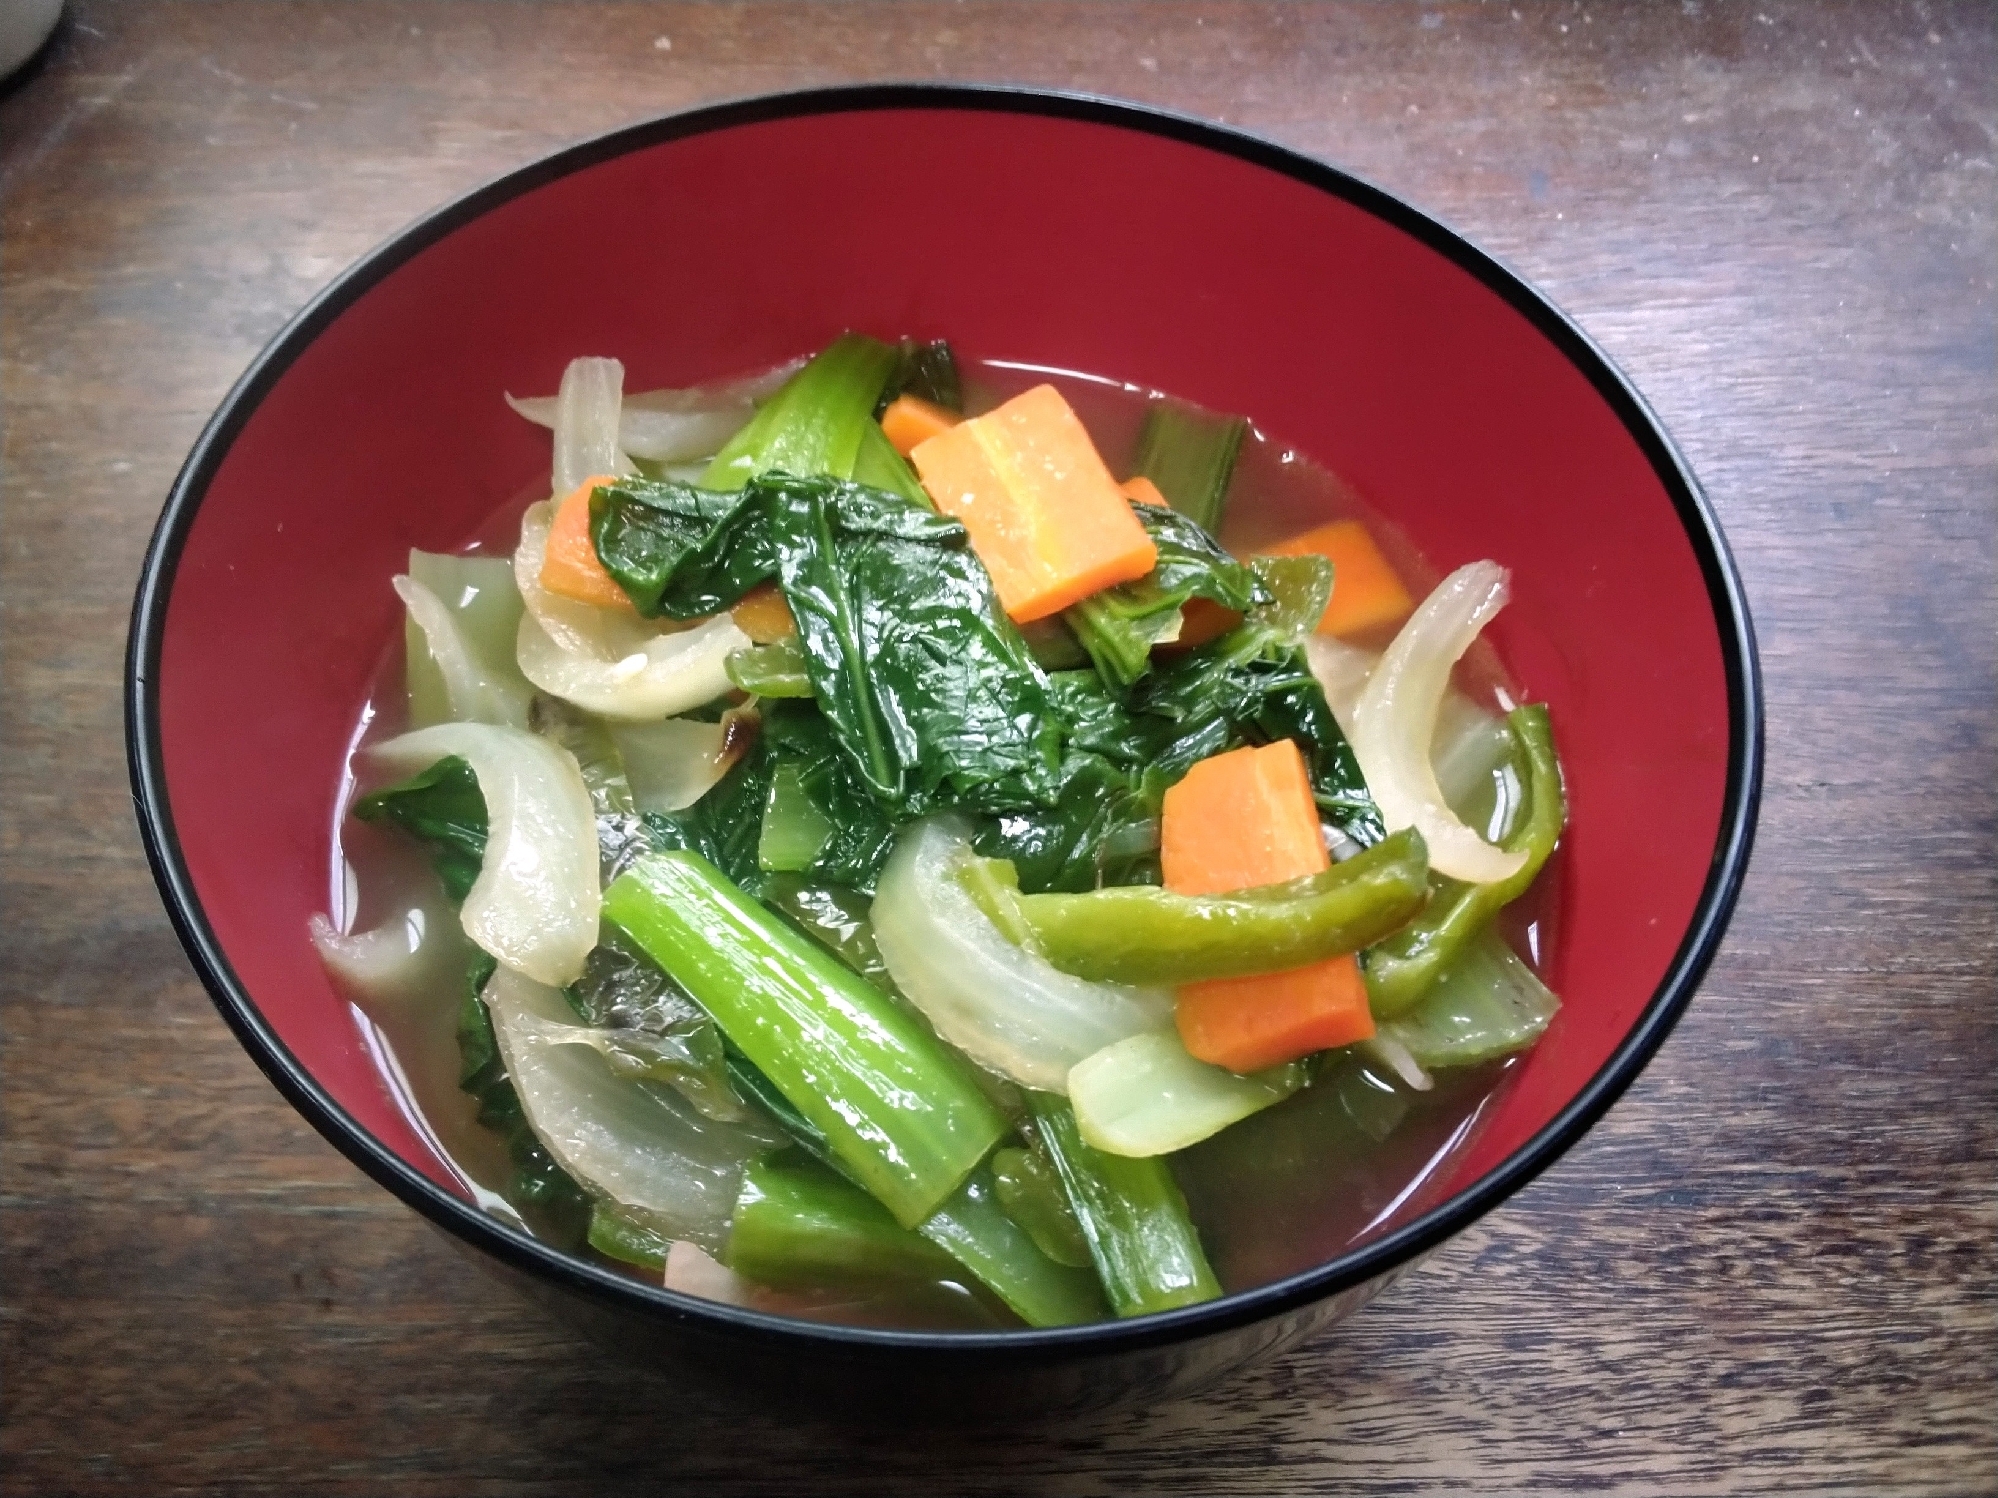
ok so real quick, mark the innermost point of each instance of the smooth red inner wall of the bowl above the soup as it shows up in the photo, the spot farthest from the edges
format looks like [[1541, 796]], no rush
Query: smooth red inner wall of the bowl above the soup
[[1074, 243]]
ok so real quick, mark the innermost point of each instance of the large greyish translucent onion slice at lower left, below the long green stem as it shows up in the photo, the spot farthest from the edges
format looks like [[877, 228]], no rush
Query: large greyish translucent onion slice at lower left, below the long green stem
[[638, 1145]]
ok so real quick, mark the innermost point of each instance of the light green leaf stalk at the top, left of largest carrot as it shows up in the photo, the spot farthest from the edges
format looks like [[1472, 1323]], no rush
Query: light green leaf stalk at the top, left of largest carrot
[[816, 422]]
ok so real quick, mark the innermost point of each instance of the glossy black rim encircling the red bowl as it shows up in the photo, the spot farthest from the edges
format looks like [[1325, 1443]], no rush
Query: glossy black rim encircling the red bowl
[[1246, 1307]]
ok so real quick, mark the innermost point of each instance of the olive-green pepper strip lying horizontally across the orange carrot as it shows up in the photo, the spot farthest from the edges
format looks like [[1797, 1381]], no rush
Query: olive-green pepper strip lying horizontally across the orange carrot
[[1142, 934]]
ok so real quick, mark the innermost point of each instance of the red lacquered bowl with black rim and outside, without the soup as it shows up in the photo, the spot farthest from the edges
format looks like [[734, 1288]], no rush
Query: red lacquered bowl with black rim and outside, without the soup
[[1062, 231]]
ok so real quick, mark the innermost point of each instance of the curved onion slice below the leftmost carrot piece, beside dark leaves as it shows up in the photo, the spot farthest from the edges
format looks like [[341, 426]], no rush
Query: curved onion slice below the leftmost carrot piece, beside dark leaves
[[608, 660]]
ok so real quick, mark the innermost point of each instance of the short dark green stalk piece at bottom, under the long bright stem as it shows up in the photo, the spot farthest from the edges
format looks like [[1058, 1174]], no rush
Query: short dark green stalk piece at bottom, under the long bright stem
[[800, 1225]]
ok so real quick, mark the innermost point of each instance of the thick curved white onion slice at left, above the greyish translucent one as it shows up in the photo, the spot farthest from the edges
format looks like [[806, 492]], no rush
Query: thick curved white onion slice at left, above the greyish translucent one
[[536, 900]]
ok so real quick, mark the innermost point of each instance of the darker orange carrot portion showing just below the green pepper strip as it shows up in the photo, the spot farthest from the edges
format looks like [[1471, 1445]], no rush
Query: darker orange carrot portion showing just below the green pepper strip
[[1274, 1018]]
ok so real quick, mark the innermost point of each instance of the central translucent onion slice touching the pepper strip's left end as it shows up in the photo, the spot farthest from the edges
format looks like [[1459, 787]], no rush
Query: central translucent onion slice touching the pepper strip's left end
[[998, 1004]]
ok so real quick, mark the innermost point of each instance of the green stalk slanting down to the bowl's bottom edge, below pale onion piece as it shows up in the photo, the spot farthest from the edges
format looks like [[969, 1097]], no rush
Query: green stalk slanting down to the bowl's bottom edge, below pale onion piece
[[1134, 1215]]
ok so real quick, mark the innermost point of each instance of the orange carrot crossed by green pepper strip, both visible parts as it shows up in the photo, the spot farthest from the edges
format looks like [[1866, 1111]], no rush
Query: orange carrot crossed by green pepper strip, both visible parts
[[1238, 822]]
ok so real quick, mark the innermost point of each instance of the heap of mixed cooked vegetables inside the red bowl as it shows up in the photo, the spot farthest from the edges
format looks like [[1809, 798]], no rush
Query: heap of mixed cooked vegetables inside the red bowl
[[804, 926]]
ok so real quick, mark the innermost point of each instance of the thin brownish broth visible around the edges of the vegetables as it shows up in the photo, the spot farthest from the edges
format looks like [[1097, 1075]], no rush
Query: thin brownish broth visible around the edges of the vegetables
[[1274, 1195]]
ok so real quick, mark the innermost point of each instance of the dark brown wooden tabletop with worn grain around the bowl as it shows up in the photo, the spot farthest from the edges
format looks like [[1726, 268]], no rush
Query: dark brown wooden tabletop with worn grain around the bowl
[[1769, 1269]]
